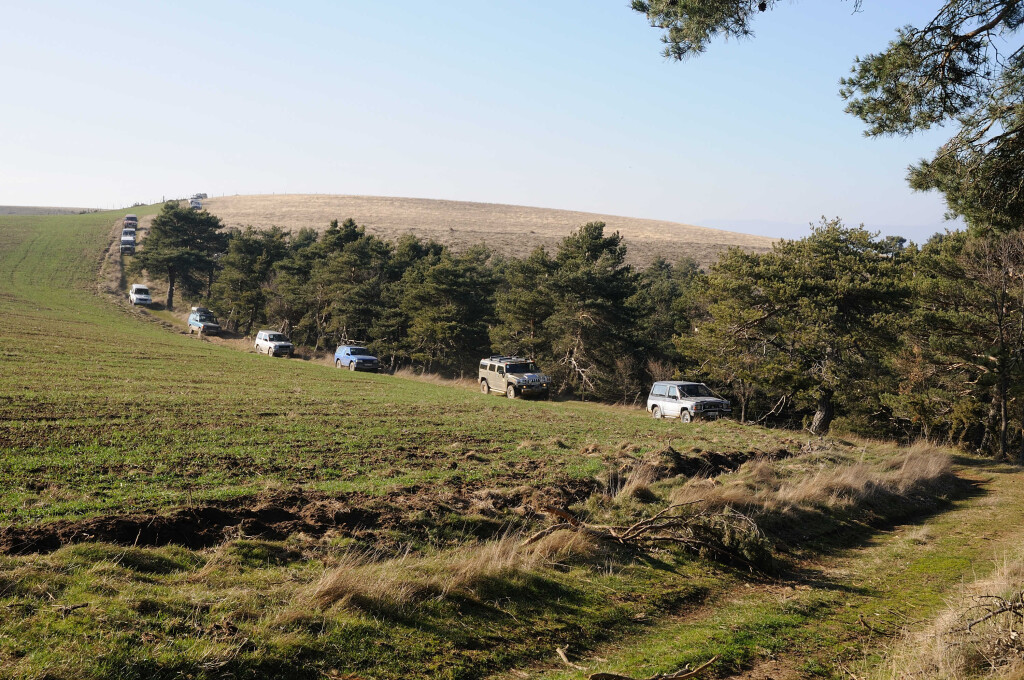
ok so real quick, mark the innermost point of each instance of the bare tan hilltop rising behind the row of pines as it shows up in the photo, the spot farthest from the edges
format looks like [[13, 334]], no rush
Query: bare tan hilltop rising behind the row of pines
[[508, 230]]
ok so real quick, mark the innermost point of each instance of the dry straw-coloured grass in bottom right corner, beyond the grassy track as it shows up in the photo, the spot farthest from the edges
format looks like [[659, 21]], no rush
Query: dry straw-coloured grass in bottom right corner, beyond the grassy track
[[948, 651]]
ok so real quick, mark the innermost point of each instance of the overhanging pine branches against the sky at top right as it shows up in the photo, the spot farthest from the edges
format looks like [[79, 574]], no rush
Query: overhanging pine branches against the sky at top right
[[965, 68]]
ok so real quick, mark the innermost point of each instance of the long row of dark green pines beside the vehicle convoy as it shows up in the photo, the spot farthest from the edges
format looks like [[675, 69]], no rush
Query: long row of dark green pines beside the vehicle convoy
[[843, 327]]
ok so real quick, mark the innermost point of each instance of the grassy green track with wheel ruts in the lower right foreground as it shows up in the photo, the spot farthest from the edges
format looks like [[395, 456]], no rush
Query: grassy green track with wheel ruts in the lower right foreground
[[838, 614]]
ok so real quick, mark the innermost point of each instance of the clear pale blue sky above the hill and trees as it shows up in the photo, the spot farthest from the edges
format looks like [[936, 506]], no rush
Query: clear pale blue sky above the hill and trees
[[561, 105]]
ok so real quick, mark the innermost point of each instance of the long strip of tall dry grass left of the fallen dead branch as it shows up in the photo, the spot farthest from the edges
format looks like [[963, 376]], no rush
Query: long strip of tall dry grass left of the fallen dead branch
[[368, 582]]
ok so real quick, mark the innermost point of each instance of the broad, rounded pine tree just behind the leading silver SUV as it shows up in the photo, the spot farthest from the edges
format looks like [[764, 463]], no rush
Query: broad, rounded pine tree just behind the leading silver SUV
[[810, 321]]
